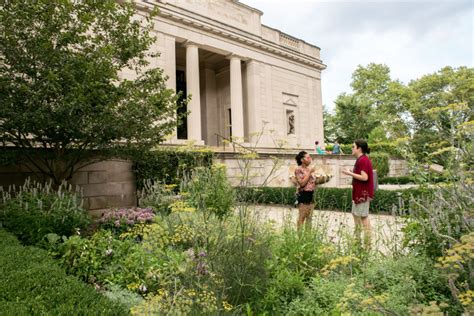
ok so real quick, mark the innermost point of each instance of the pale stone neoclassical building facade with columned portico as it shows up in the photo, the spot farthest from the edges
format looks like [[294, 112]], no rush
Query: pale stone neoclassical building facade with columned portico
[[243, 77]]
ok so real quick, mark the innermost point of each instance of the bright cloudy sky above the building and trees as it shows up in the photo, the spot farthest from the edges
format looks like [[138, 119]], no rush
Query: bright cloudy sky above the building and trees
[[412, 37]]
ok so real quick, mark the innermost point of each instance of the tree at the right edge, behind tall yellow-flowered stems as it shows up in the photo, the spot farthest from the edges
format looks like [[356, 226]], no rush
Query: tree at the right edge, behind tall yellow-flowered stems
[[442, 112]]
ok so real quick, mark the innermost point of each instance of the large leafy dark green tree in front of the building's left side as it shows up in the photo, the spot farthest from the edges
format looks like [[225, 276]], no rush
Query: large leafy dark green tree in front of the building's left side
[[60, 86]]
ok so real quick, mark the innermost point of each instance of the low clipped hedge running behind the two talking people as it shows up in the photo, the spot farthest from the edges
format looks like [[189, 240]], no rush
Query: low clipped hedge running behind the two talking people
[[339, 199]]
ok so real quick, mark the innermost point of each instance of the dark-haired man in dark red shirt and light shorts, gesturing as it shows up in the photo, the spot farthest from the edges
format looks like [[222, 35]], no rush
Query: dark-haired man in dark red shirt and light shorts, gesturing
[[362, 188]]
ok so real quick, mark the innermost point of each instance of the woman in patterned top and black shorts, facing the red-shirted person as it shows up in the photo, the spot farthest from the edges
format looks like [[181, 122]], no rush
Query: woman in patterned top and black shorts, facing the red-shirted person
[[306, 184]]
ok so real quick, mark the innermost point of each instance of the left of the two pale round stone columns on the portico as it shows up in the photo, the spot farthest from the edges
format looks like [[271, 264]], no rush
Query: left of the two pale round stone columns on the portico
[[192, 86]]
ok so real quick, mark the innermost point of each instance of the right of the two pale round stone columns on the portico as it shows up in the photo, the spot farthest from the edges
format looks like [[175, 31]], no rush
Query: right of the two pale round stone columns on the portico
[[236, 103]]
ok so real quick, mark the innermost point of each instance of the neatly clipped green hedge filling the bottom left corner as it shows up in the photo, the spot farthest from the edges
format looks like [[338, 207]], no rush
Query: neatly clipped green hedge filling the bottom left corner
[[31, 283]]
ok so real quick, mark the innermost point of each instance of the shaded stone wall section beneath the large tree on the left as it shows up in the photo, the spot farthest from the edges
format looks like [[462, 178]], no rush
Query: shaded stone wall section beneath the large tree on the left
[[105, 184]]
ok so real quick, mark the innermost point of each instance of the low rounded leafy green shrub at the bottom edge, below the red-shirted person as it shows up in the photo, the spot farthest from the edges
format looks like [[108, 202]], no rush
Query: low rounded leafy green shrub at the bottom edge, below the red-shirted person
[[392, 285]]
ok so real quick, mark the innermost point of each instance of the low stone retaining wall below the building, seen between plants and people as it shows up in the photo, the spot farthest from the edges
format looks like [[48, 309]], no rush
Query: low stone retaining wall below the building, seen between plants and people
[[112, 183]]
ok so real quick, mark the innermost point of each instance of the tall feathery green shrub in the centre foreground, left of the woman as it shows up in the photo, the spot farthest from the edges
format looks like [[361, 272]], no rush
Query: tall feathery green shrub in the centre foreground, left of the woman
[[236, 249]]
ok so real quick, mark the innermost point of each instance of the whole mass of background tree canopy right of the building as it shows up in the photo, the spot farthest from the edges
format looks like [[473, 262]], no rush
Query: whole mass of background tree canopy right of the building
[[434, 112]]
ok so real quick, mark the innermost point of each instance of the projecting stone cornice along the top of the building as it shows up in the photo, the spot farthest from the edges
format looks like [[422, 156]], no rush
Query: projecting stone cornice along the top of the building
[[207, 24]]
